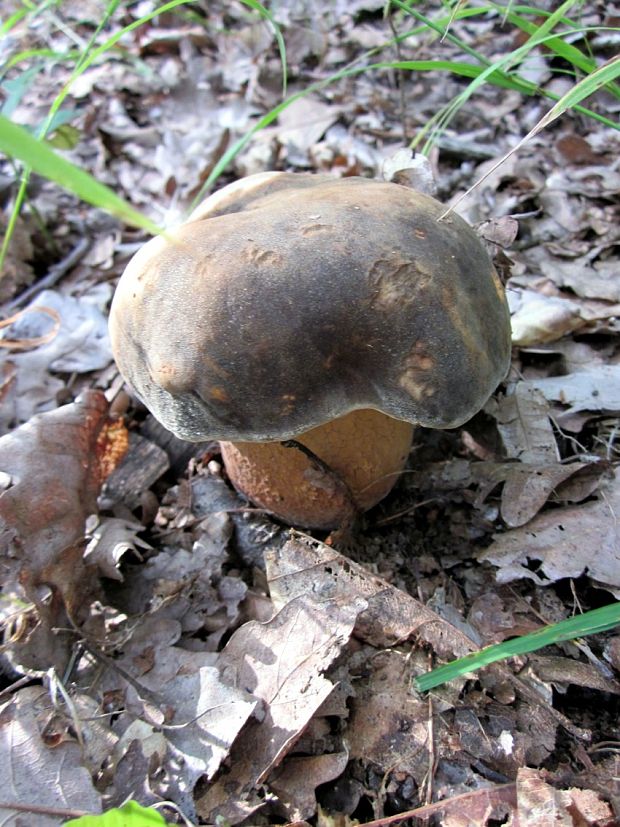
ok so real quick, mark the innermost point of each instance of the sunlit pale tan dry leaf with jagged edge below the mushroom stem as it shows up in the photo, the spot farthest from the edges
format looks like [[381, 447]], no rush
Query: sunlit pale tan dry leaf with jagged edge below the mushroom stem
[[281, 664]]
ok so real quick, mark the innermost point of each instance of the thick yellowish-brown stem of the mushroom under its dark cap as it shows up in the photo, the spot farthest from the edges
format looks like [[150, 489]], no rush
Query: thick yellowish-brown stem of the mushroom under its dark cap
[[363, 450]]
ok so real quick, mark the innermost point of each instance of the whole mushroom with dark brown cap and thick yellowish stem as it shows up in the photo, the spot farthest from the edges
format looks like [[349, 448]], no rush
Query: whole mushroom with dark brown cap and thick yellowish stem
[[308, 323]]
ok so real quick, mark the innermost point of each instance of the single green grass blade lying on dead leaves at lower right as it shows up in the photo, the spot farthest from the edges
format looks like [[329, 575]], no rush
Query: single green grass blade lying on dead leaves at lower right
[[590, 623]]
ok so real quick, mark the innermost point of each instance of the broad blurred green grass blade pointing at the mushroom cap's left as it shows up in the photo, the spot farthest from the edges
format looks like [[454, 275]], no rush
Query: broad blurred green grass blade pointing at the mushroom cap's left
[[17, 142]]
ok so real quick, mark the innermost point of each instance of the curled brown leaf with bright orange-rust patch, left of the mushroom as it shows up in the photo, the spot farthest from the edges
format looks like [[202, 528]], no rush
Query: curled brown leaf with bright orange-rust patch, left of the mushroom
[[54, 466]]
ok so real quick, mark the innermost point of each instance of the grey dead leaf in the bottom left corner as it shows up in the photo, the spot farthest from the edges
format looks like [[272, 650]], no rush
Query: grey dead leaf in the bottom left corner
[[35, 773]]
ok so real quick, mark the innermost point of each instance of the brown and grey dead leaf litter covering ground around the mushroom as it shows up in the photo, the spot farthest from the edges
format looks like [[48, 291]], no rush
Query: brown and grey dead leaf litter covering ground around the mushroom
[[163, 641]]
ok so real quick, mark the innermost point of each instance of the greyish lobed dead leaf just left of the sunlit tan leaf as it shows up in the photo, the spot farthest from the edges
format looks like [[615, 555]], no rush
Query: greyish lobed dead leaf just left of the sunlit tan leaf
[[181, 693]]
